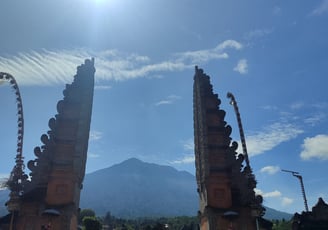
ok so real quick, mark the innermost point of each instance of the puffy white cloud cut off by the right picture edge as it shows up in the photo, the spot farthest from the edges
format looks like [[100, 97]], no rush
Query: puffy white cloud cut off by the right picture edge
[[315, 147]]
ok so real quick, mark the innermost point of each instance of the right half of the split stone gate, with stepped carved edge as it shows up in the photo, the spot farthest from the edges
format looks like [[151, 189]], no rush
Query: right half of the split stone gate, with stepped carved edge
[[225, 186]]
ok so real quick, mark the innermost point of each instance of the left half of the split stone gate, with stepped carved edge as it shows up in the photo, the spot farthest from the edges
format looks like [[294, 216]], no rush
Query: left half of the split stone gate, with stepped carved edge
[[50, 199]]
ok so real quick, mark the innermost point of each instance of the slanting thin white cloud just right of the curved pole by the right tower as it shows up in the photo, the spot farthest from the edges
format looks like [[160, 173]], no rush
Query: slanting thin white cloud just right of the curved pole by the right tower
[[271, 137]]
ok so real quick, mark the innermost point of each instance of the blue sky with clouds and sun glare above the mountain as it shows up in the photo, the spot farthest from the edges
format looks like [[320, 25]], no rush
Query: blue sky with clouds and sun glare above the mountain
[[272, 55]]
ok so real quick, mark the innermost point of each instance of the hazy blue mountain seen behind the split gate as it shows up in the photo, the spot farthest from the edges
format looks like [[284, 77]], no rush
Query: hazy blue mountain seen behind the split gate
[[135, 188]]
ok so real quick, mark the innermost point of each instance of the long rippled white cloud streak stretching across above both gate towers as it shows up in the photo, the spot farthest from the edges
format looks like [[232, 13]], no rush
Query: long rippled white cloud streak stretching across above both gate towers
[[47, 67]]
